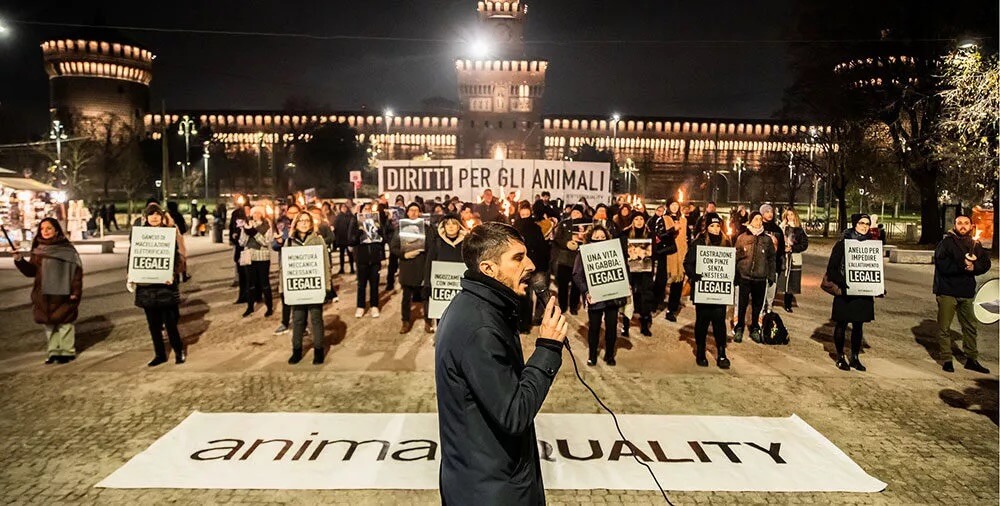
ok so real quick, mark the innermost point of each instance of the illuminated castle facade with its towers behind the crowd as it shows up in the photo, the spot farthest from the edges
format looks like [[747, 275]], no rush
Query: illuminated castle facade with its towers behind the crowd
[[500, 116]]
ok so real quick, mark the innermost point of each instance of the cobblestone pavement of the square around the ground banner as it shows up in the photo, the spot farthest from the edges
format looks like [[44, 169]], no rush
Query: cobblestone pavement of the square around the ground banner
[[931, 436]]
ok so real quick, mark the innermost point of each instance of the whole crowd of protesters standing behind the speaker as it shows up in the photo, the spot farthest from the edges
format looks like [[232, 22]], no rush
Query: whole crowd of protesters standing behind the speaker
[[362, 238]]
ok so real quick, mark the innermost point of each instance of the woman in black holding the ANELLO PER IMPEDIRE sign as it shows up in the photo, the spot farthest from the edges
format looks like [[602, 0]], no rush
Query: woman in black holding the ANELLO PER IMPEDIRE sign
[[853, 309]]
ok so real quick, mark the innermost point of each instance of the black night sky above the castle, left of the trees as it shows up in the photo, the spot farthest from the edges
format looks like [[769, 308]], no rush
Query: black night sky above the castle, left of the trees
[[711, 59]]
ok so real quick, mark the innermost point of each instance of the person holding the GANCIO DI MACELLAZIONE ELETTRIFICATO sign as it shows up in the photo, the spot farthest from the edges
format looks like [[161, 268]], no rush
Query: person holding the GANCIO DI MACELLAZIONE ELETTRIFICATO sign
[[161, 301]]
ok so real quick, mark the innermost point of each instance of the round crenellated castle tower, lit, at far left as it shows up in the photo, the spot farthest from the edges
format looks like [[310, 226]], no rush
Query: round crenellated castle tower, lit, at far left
[[98, 75]]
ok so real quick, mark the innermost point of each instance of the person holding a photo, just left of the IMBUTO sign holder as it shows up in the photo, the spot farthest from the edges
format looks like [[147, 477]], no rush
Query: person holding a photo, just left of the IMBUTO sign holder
[[409, 244]]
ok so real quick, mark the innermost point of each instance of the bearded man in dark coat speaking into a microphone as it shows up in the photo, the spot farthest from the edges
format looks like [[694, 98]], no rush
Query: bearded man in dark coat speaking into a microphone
[[487, 394]]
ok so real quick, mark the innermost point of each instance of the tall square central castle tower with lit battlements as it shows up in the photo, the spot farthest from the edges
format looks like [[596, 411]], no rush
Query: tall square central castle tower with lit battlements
[[500, 91]]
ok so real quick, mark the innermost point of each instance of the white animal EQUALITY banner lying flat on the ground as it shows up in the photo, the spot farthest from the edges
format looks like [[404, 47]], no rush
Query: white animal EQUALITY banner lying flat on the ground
[[401, 451]]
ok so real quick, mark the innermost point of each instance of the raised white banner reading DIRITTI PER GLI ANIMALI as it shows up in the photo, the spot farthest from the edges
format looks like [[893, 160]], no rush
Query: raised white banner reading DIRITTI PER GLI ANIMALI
[[468, 178]]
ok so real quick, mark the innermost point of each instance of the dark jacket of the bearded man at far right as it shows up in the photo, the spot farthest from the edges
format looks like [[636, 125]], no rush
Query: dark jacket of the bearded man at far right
[[950, 276]]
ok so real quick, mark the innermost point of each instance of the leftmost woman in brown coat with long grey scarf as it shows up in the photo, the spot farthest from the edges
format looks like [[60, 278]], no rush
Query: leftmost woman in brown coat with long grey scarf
[[58, 287]]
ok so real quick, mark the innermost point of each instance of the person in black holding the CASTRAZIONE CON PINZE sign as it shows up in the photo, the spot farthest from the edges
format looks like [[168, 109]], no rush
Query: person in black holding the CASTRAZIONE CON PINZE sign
[[708, 314]]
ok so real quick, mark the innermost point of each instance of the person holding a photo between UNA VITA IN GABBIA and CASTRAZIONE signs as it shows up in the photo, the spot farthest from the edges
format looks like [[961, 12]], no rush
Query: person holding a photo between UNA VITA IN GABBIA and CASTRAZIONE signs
[[638, 242]]
